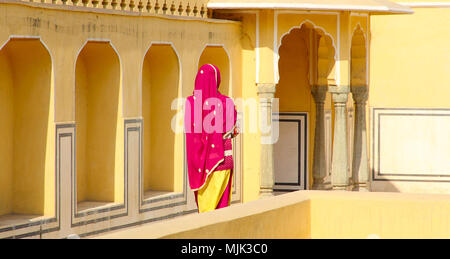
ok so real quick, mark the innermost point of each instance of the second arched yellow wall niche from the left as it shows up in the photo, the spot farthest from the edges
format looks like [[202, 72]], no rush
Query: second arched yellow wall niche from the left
[[97, 93]]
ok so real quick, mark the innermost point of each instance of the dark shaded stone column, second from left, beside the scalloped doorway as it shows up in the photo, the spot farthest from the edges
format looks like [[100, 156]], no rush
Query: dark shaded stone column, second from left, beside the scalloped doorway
[[319, 163]]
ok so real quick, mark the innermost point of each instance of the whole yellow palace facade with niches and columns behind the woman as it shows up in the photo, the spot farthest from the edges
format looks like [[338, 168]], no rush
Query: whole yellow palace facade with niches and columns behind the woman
[[92, 102]]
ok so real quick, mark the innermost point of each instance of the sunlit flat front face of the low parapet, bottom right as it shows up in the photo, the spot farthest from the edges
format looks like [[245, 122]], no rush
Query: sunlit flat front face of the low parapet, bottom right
[[383, 215]]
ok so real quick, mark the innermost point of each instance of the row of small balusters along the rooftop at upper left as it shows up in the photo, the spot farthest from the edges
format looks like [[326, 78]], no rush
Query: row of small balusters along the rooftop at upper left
[[193, 8]]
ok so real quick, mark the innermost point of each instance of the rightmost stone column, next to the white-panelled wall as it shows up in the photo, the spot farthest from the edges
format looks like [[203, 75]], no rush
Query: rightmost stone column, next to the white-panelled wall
[[360, 167]]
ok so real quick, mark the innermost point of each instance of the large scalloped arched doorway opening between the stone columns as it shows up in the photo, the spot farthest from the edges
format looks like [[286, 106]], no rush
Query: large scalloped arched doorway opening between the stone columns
[[306, 62]]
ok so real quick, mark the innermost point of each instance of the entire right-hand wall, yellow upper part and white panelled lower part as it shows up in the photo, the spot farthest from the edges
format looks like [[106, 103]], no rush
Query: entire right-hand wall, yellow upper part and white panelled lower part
[[409, 70]]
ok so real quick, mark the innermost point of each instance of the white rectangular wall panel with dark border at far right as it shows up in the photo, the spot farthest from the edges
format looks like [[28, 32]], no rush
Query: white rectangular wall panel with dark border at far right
[[411, 144]]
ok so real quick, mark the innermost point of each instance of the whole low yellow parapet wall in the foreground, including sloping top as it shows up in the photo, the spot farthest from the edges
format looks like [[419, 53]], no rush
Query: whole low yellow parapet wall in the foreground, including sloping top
[[311, 214]]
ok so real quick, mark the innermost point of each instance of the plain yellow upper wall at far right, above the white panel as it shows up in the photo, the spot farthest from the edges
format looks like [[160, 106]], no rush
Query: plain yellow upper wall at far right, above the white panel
[[416, 47]]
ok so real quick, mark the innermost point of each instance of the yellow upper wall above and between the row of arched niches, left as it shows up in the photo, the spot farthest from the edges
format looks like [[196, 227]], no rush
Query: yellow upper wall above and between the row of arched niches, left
[[65, 31]]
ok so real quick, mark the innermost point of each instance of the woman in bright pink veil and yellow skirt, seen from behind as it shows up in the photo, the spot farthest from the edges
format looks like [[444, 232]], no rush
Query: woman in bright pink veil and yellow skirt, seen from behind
[[208, 141]]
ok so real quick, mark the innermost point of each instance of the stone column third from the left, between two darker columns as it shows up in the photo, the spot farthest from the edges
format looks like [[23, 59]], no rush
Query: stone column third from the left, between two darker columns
[[339, 166]]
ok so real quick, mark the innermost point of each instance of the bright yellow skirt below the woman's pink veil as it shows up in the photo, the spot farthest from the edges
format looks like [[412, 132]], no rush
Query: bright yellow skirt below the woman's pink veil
[[209, 196]]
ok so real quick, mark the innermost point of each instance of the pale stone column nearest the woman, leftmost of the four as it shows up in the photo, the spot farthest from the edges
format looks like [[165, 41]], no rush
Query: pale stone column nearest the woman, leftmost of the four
[[266, 93]]
